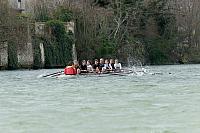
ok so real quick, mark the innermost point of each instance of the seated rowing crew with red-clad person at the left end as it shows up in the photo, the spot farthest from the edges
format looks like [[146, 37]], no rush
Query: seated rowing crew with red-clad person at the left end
[[99, 66]]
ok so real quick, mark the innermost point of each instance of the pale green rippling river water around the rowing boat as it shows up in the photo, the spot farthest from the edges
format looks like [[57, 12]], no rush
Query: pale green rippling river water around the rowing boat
[[165, 102]]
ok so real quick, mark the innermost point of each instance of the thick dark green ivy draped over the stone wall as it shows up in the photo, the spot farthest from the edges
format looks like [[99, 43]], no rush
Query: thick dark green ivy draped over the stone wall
[[58, 45]]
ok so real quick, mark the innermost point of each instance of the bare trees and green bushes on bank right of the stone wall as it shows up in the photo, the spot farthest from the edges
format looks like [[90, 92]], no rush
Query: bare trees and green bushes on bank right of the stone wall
[[146, 31]]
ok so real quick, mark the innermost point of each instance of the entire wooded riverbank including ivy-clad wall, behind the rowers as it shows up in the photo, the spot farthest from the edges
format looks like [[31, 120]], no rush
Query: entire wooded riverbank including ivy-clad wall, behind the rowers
[[141, 32]]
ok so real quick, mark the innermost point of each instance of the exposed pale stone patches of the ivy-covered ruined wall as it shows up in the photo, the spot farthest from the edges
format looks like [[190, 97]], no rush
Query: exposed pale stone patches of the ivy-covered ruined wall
[[25, 53]]
